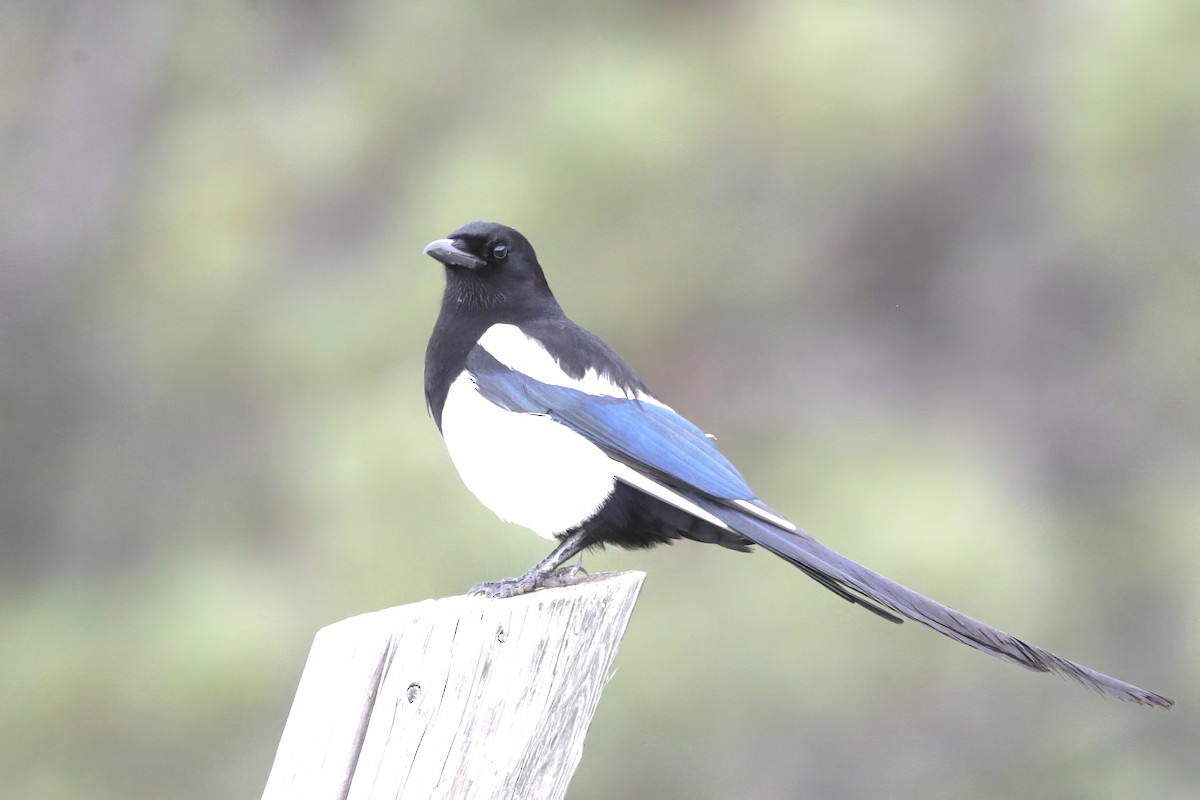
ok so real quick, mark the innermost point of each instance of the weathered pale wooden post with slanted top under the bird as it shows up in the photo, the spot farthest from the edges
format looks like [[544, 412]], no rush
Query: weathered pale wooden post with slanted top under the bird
[[460, 697]]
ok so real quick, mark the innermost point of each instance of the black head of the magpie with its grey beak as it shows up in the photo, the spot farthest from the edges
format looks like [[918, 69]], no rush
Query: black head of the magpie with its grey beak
[[490, 266]]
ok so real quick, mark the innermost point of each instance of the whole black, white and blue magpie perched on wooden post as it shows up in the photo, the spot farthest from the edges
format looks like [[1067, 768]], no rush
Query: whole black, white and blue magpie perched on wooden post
[[551, 430]]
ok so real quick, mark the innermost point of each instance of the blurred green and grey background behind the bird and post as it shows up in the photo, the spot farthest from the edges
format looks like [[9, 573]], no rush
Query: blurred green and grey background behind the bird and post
[[931, 272]]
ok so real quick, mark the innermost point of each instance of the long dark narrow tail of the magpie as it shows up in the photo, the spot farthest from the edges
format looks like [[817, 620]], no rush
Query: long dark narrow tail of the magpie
[[862, 586]]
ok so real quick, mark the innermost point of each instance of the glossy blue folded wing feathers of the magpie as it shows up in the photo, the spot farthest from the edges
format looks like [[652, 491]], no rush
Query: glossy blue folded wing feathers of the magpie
[[649, 437]]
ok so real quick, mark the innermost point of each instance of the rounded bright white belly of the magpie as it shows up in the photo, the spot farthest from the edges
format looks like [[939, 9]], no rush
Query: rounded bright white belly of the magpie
[[527, 470]]
